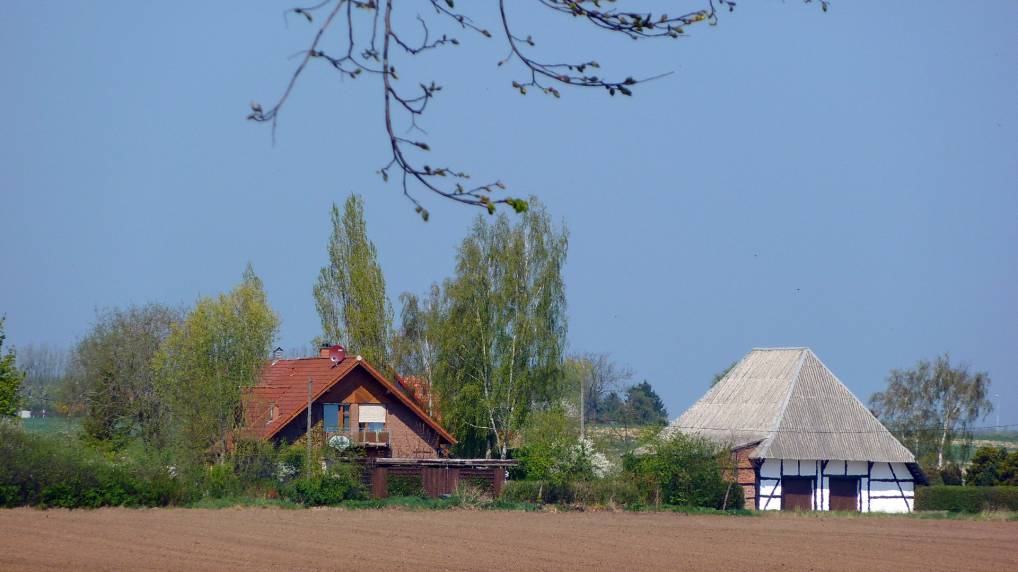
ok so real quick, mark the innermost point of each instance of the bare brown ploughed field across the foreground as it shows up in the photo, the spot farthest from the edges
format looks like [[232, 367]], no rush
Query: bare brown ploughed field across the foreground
[[330, 539]]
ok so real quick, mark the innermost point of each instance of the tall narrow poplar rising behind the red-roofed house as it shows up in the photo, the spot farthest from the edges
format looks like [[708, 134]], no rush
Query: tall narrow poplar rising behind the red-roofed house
[[351, 295]]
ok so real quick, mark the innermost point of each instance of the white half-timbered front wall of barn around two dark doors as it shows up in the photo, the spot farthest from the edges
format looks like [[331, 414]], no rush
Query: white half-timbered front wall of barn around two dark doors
[[883, 487]]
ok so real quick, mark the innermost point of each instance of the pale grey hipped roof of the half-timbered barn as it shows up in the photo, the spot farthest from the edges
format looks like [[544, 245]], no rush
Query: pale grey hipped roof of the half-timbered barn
[[786, 401]]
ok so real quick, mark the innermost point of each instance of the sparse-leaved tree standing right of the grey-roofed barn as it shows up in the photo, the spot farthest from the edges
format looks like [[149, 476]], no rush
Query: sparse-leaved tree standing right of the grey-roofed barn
[[933, 407]]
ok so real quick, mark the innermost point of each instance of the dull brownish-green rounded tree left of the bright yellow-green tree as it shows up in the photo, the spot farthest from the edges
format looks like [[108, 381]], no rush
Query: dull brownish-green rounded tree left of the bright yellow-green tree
[[112, 375]]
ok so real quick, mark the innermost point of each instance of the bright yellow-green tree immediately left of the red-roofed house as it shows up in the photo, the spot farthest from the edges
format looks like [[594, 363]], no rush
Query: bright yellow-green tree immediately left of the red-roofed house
[[210, 360]]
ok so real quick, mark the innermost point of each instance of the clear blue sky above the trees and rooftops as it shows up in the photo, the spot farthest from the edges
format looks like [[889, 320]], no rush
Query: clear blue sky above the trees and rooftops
[[846, 182]]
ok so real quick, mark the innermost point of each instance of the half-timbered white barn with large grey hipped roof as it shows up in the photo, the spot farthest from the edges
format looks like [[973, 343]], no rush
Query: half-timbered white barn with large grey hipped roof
[[801, 440]]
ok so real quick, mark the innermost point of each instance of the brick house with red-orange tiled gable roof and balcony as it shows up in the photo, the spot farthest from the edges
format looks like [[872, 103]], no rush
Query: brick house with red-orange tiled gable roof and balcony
[[352, 403]]
